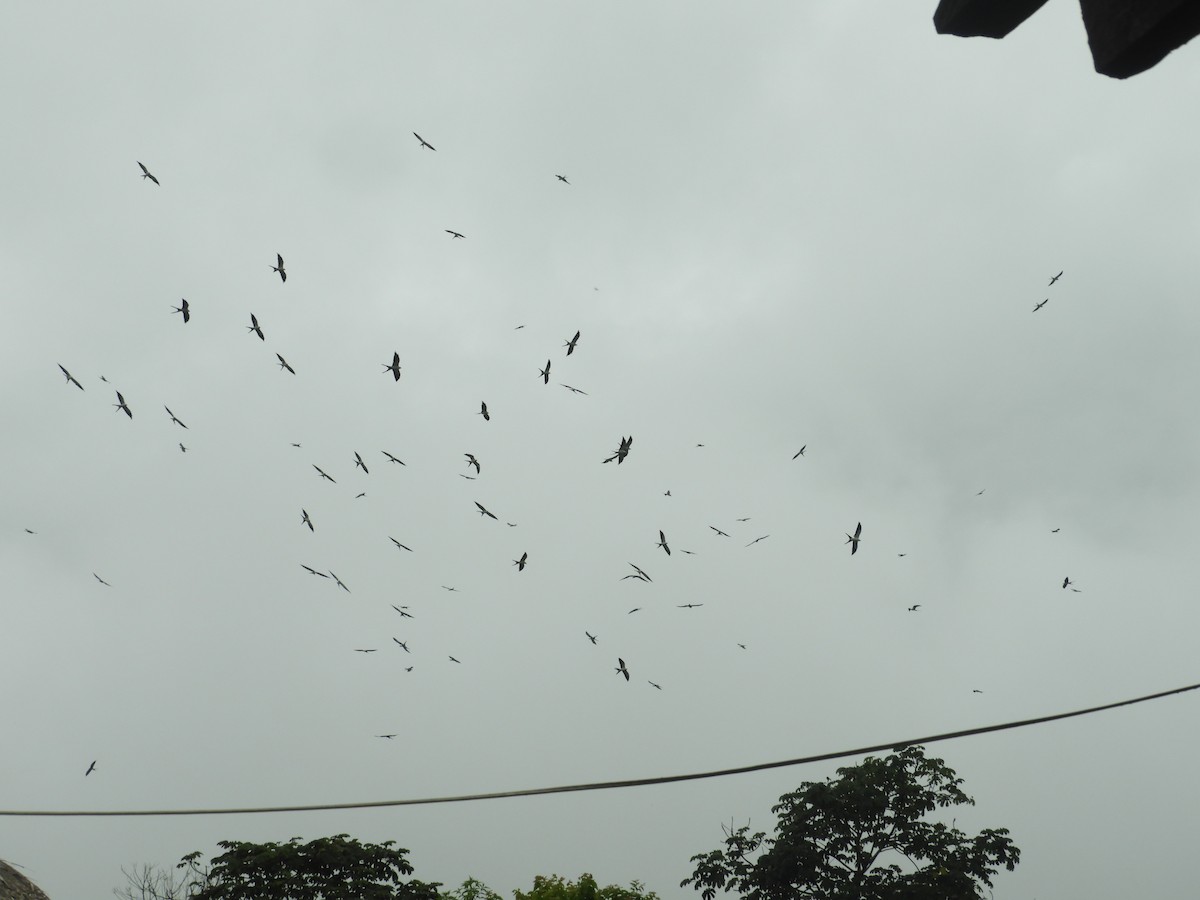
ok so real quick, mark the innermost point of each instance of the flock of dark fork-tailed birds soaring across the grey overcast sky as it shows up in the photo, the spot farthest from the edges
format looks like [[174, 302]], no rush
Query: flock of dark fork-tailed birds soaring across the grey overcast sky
[[394, 368]]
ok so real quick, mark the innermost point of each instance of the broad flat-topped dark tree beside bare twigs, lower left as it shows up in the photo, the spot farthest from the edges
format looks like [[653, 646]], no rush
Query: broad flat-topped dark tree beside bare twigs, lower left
[[338, 868]]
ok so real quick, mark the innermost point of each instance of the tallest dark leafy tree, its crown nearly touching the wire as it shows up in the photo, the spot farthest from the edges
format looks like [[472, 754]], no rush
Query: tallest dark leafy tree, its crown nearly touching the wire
[[862, 837]]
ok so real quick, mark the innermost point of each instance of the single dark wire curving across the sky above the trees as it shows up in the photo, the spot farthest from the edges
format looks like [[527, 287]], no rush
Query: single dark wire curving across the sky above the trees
[[608, 785]]
